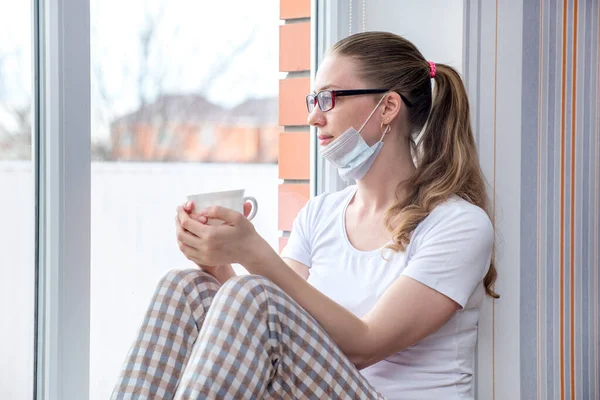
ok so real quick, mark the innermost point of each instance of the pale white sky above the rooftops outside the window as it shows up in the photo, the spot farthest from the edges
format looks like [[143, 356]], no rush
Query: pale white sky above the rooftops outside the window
[[195, 39]]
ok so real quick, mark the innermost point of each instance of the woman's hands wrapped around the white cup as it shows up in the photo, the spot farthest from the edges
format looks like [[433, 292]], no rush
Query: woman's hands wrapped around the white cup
[[212, 247]]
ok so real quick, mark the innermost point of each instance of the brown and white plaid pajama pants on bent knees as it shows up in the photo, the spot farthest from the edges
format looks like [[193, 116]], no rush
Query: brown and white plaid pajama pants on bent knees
[[246, 339]]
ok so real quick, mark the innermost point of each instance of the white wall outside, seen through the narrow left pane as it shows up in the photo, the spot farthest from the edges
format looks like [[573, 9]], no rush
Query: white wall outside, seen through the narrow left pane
[[17, 280]]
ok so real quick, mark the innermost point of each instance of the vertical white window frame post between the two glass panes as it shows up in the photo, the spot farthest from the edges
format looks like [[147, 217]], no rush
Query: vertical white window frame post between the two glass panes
[[63, 199]]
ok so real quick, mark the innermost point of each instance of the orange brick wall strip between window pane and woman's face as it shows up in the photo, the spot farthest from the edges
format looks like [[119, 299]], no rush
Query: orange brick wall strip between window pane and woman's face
[[294, 146]]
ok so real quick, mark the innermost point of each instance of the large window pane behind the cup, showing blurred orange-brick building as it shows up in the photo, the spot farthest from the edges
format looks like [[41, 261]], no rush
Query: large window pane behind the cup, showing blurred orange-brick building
[[182, 79]]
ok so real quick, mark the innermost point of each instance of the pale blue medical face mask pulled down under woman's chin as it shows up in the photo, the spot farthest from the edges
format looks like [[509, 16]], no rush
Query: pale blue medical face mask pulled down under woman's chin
[[350, 154]]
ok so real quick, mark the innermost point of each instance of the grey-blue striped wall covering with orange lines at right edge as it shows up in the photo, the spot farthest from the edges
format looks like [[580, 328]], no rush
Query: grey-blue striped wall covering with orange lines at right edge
[[560, 172]]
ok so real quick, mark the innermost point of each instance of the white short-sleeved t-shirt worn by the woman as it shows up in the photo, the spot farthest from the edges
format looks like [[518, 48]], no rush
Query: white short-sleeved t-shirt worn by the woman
[[449, 251]]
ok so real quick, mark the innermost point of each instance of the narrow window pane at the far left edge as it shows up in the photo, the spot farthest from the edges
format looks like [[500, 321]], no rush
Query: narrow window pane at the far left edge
[[17, 202]]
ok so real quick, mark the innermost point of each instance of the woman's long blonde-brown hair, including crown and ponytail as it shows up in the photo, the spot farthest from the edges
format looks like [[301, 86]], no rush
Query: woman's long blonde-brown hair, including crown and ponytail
[[446, 155]]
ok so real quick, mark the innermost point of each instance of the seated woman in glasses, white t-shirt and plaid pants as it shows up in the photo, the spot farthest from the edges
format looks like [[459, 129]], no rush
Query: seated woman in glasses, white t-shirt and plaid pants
[[377, 293]]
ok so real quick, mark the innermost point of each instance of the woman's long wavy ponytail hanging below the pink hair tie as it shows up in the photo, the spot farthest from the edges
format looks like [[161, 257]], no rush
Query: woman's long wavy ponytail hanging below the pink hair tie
[[447, 164]]
